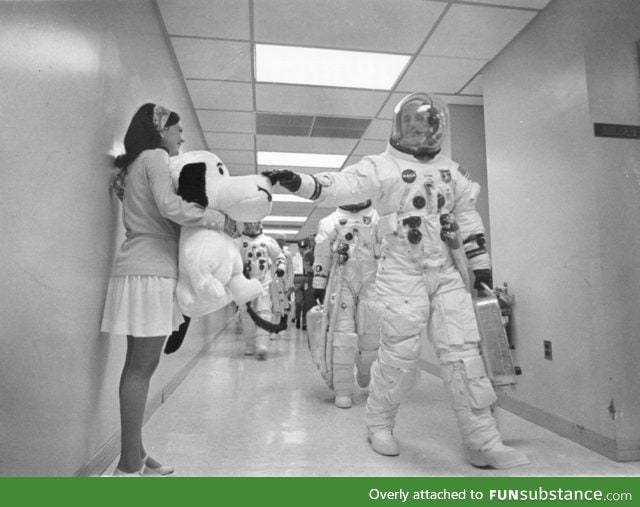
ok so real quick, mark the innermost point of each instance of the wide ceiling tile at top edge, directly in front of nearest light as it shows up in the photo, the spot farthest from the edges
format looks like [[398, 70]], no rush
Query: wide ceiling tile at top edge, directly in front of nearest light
[[374, 25]]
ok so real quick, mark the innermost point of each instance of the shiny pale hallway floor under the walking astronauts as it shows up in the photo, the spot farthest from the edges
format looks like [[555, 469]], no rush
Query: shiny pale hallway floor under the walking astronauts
[[235, 415]]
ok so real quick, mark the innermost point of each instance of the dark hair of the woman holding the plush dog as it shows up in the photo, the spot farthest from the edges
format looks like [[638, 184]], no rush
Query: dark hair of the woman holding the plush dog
[[142, 134]]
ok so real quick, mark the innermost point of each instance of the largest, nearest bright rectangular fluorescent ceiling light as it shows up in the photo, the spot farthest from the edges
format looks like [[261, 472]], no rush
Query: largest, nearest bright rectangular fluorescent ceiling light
[[328, 67]]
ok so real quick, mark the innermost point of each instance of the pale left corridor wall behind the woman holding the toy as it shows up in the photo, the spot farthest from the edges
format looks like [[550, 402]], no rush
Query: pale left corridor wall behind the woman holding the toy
[[73, 74]]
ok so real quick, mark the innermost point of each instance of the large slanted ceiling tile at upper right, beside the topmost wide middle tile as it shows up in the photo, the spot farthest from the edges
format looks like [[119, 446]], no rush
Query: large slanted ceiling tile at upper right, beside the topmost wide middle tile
[[470, 31]]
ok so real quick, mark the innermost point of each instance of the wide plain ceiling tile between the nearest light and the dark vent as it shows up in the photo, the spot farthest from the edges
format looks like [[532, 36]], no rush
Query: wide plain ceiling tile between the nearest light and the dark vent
[[318, 100]]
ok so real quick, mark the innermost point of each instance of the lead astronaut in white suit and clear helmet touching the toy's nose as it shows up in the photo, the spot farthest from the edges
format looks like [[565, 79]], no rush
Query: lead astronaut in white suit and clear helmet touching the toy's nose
[[426, 204]]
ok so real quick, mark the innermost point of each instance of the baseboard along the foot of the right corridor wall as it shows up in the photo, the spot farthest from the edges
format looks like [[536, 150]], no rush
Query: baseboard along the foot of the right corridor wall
[[593, 441]]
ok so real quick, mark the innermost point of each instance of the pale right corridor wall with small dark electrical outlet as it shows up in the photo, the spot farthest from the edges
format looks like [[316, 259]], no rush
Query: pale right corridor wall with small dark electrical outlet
[[565, 218]]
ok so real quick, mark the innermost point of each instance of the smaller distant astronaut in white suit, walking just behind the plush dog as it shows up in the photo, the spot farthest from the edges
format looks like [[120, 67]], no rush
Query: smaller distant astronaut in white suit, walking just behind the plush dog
[[261, 257]]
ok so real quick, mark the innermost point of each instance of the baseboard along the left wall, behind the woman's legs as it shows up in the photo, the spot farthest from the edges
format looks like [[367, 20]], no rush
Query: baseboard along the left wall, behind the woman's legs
[[97, 465]]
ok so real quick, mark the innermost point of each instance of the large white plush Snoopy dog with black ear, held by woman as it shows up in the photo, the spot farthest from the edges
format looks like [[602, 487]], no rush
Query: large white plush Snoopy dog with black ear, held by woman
[[210, 265]]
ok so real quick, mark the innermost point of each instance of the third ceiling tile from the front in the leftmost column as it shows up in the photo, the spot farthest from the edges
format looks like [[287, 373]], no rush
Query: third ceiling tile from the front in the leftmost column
[[225, 95]]
